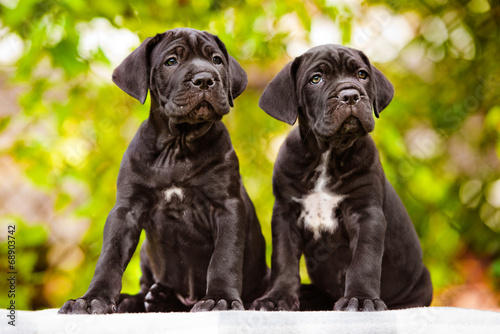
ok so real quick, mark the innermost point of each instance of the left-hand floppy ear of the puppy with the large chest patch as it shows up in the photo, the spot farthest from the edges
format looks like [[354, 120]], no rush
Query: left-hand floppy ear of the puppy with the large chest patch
[[279, 99]]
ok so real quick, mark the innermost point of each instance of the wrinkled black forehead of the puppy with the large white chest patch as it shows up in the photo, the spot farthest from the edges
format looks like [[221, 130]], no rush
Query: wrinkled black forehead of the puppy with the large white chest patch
[[332, 58]]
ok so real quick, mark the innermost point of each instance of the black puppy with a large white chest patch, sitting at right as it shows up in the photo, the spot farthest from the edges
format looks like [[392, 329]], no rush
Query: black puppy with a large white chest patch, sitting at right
[[333, 201]]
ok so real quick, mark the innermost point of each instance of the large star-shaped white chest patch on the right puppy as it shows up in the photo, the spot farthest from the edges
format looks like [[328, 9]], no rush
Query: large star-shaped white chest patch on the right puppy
[[318, 207]]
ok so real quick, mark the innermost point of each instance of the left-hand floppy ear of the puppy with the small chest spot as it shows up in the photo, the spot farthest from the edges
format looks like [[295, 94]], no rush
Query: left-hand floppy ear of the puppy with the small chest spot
[[132, 75]]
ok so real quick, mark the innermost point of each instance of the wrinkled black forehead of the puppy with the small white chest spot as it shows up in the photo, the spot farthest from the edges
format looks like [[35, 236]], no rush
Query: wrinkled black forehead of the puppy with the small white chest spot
[[184, 42]]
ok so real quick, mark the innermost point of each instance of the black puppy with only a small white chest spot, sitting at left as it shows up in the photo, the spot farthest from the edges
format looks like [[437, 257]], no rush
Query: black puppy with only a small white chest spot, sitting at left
[[179, 181]]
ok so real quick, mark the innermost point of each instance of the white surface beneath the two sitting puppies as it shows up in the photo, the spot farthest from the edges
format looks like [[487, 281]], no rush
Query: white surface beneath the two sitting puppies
[[413, 321]]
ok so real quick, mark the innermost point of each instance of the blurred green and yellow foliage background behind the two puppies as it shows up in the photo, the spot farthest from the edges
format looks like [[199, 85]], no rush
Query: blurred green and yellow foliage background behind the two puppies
[[64, 126]]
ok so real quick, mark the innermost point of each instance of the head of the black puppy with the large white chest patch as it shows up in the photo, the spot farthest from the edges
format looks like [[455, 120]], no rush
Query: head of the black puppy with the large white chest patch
[[334, 88]]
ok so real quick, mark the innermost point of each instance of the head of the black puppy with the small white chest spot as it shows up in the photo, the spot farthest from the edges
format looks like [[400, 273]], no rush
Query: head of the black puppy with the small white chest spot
[[188, 72]]
